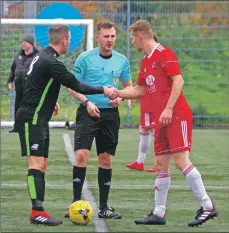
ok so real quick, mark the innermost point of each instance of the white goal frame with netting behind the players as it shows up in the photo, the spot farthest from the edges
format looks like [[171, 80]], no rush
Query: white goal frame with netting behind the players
[[13, 28]]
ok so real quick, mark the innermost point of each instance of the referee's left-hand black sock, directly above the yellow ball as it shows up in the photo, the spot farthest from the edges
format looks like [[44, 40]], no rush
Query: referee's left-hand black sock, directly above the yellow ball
[[79, 174]]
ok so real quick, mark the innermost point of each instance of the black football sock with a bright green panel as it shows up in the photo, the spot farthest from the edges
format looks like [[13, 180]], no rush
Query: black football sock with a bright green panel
[[36, 187]]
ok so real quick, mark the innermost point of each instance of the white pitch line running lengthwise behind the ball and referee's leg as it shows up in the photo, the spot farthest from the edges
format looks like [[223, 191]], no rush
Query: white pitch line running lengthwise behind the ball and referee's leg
[[98, 223]]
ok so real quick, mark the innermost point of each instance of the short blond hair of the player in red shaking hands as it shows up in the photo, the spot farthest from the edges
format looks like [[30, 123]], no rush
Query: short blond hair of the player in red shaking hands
[[143, 27]]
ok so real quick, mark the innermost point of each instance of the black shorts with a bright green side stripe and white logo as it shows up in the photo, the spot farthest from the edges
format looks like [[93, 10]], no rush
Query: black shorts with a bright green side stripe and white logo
[[34, 139]]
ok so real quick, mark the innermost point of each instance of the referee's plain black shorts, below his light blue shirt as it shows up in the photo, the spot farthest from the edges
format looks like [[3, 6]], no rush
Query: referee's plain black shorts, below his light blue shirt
[[104, 129]]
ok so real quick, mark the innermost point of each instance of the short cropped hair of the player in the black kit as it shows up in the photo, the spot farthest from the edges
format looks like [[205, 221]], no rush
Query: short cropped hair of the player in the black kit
[[57, 33]]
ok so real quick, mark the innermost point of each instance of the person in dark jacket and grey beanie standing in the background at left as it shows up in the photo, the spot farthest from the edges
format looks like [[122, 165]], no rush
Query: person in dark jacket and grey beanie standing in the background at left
[[20, 67]]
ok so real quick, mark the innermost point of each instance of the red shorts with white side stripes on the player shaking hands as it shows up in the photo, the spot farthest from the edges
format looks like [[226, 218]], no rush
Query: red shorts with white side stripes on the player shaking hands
[[174, 138]]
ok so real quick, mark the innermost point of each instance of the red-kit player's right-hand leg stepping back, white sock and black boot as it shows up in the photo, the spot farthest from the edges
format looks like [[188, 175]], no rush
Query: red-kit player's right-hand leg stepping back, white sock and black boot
[[193, 178]]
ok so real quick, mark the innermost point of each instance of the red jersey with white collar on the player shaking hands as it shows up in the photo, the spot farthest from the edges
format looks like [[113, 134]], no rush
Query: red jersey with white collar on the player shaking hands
[[155, 72]]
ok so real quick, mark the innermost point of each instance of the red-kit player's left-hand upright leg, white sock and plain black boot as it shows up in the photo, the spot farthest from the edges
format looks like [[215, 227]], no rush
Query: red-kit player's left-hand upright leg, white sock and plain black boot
[[162, 184]]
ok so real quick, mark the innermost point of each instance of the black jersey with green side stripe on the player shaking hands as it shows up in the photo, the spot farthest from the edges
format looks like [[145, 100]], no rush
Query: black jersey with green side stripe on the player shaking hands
[[42, 86]]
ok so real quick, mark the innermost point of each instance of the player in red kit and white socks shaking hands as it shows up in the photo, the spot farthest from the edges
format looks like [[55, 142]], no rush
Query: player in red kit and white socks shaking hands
[[160, 74]]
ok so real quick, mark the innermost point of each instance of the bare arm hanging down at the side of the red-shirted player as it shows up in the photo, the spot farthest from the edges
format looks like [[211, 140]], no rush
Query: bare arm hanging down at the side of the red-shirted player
[[166, 115]]
